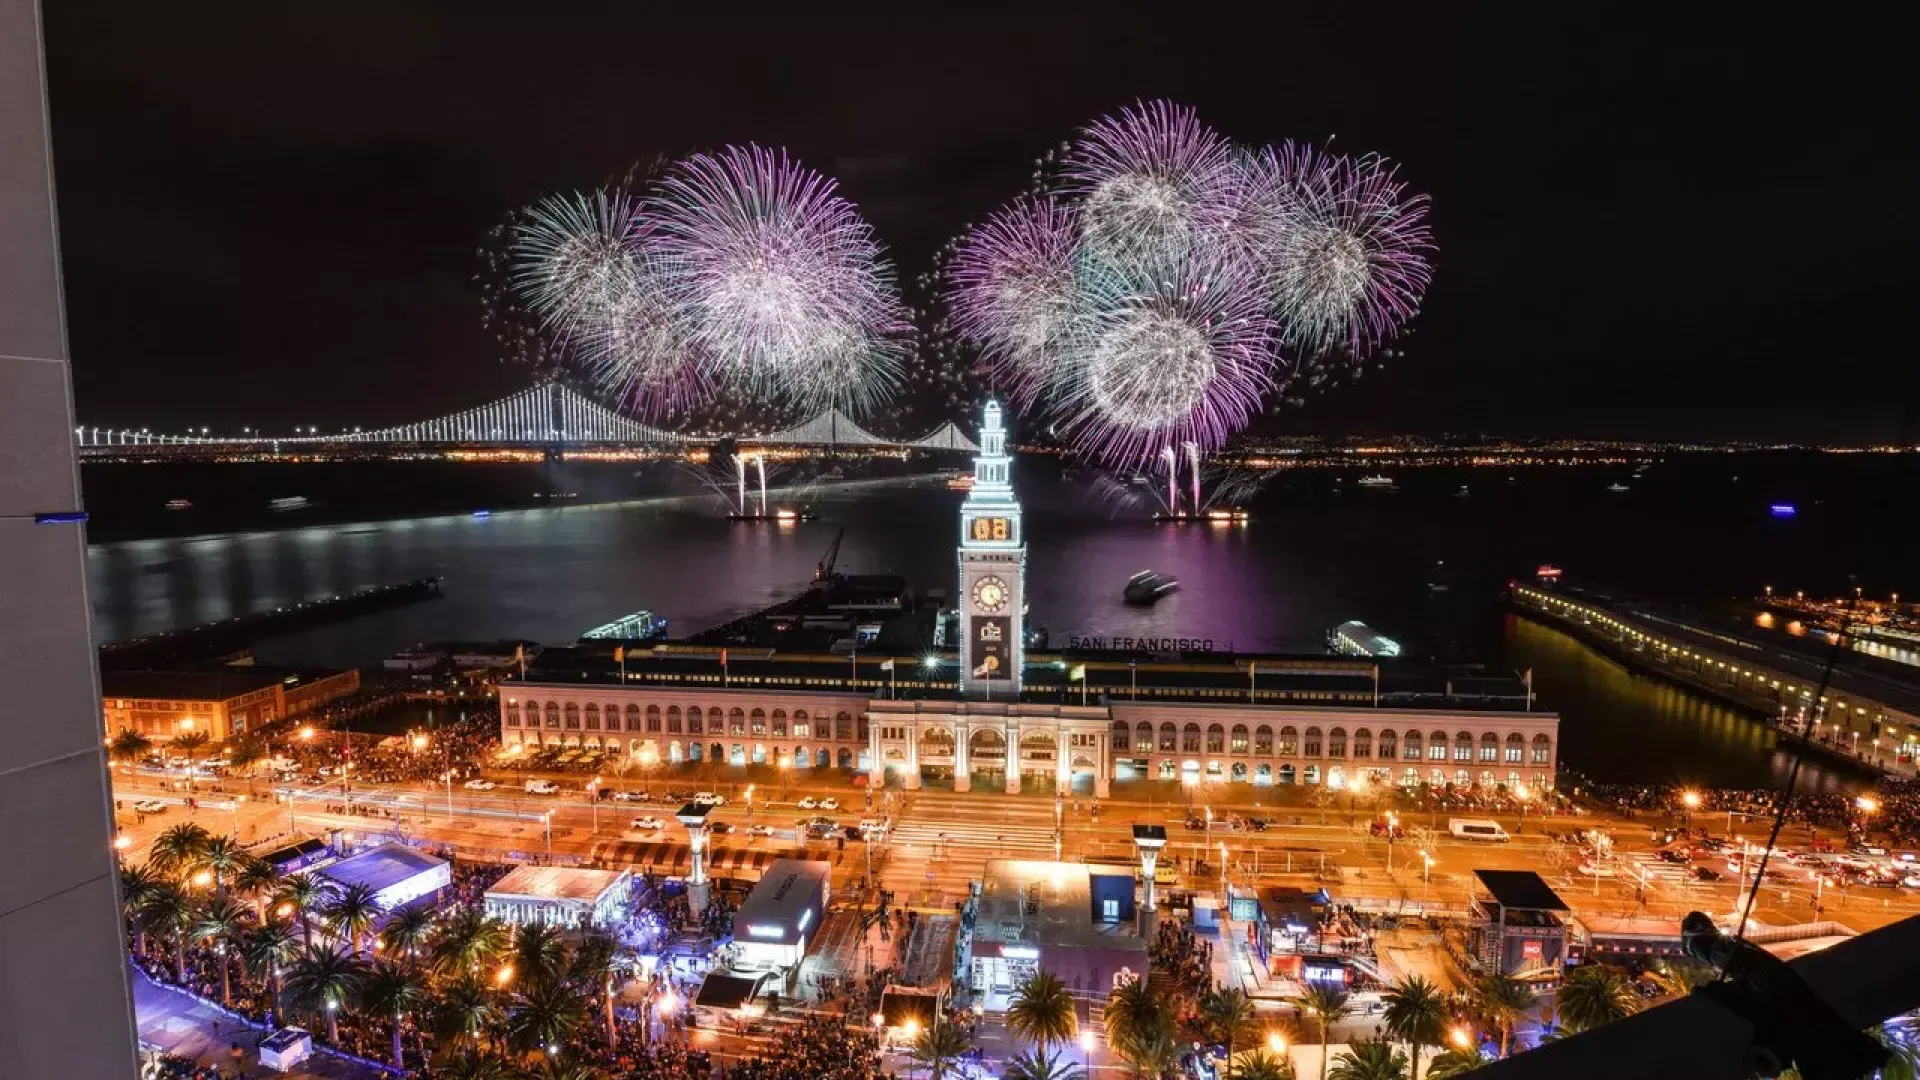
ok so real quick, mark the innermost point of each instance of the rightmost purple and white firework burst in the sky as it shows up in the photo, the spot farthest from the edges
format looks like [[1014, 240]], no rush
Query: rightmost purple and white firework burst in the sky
[[1351, 262]]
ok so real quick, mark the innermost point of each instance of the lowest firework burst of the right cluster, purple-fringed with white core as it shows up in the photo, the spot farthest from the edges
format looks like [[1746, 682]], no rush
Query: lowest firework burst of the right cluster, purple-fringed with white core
[[1168, 358]]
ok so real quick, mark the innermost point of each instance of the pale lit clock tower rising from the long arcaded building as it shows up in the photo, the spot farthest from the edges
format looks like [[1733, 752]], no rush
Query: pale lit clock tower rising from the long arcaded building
[[994, 572]]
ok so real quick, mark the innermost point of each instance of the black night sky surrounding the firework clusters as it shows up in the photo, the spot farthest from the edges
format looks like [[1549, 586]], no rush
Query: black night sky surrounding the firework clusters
[[272, 212]]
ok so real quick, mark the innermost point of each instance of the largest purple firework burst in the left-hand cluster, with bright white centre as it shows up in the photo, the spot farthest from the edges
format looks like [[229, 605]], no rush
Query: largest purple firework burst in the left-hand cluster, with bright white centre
[[780, 282]]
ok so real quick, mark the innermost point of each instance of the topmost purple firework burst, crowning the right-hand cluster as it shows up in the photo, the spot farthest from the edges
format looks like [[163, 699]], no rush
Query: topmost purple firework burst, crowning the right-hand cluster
[[1149, 180]]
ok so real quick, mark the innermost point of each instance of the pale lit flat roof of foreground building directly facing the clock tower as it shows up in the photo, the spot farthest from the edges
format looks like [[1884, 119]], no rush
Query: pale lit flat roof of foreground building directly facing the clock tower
[[1045, 904]]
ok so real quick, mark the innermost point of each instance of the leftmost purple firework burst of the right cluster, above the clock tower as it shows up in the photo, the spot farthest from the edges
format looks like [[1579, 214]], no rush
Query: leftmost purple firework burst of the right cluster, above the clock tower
[[1013, 289]]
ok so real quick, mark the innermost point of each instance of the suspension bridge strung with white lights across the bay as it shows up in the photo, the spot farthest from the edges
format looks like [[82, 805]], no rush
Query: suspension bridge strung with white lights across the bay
[[542, 416]]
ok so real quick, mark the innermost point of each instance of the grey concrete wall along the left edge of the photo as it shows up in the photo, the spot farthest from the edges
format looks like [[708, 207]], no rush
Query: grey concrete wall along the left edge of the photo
[[64, 994]]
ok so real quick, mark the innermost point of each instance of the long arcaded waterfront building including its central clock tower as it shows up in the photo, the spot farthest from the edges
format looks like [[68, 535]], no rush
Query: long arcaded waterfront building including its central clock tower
[[984, 712]]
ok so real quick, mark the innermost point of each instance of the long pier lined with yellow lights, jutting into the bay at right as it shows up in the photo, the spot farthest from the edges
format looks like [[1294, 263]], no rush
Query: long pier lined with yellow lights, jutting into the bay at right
[[1863, 718]]
